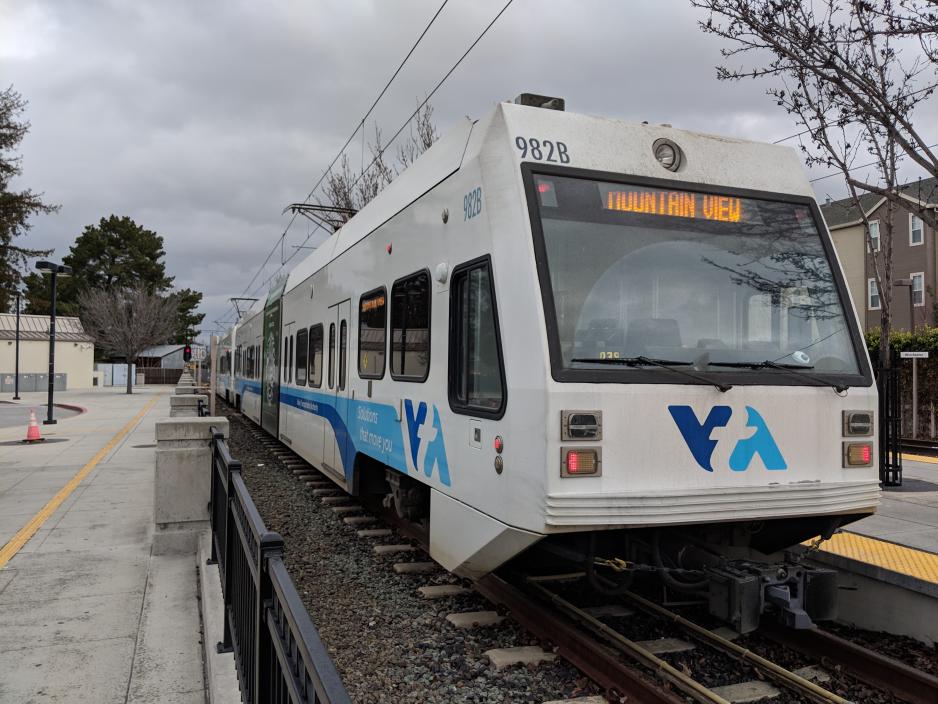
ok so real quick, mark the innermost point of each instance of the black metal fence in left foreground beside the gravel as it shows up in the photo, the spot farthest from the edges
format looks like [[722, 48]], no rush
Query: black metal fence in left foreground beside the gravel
[[278, 654]]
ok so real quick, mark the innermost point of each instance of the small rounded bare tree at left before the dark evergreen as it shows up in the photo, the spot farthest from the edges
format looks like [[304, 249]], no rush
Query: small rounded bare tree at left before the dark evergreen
[[126, 322]]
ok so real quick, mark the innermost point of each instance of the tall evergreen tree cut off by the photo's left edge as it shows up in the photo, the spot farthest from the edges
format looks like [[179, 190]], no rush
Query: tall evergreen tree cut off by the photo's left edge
[[16, 207]]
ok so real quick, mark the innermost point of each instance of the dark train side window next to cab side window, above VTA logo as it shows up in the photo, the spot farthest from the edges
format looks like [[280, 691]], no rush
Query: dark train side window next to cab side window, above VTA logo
[[410, 327]]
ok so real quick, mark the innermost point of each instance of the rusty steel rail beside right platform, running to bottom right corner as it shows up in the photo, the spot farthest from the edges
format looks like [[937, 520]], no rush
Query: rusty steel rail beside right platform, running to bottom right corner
[[866, 665]]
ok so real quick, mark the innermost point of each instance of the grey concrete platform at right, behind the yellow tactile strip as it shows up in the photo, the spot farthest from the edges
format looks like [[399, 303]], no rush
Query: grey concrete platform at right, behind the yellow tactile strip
[[908, 514]]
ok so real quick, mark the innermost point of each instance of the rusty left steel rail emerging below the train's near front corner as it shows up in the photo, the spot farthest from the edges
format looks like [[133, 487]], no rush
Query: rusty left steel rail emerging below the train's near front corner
[[590, 657]]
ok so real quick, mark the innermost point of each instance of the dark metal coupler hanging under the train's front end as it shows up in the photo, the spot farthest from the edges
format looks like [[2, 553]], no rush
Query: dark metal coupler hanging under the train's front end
[[740, 591]]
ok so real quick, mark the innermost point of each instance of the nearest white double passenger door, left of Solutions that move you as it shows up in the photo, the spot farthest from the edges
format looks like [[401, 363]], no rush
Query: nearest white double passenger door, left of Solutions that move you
[[336, 451]]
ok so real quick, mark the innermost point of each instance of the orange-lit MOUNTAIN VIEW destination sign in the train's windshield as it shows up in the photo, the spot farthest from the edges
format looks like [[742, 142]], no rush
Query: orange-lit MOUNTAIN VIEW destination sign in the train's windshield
[[679, 204]]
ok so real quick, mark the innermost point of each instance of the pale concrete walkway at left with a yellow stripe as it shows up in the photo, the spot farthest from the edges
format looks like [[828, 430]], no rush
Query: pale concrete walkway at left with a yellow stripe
[[87, 612]]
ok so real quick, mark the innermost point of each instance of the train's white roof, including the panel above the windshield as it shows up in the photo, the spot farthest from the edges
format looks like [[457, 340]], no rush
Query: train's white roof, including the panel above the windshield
[[595, 143]]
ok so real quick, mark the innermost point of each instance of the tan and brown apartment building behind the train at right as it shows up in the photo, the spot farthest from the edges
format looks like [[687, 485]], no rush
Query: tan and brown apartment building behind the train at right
[[914, 254]]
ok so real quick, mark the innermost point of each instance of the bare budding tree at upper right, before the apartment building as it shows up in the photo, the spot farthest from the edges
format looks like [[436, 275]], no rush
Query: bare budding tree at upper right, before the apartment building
[[850, 77]]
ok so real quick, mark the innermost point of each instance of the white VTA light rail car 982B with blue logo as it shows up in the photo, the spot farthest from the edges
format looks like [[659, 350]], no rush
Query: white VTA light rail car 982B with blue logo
[[672, 449]]
